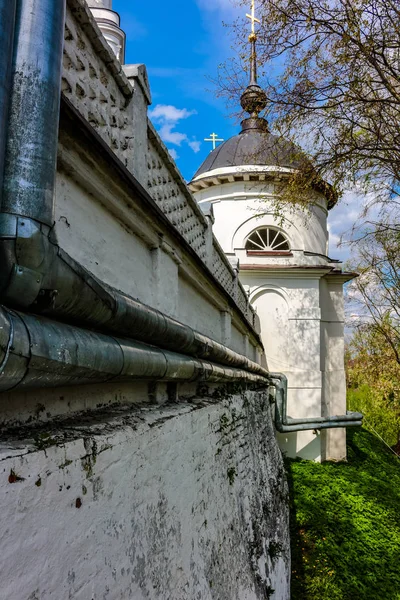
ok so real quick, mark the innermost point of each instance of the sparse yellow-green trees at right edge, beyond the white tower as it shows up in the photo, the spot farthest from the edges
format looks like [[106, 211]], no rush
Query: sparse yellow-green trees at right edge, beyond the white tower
[[373, 356]]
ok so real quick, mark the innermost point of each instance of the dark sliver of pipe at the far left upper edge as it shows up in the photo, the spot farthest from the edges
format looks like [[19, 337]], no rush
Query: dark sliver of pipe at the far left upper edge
[[7, 22]]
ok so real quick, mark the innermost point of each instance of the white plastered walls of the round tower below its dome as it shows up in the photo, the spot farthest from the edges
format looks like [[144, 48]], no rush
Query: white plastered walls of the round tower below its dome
[[298, 297]]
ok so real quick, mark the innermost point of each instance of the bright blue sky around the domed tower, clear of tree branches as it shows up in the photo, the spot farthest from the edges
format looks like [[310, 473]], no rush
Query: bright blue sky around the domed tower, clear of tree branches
[[182, 43]]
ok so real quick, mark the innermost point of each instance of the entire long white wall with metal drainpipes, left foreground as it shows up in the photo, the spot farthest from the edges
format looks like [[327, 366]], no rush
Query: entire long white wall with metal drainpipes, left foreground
[[160, 477]]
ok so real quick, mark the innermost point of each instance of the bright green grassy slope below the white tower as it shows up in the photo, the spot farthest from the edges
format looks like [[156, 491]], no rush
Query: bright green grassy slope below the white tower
[[345, 524]]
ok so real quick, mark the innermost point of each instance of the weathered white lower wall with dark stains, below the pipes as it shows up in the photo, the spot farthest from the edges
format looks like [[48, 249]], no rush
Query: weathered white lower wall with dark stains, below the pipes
[[175, 502]]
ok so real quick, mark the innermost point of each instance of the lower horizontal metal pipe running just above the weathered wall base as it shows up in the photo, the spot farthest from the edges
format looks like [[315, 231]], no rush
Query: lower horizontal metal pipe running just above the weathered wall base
[[36, 352]]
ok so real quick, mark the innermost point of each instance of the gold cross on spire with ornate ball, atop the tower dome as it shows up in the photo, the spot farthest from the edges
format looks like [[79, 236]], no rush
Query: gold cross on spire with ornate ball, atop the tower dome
[[254, 99]]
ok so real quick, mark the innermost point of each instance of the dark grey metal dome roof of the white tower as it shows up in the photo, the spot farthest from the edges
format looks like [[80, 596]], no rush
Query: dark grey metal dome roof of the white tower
[[254, 145]]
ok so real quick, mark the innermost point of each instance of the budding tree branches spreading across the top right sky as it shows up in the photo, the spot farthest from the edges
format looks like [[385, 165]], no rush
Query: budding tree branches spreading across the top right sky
[[335, 82]]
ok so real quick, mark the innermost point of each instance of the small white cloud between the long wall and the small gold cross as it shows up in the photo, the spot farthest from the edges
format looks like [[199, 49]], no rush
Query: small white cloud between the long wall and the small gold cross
[[167, 118]]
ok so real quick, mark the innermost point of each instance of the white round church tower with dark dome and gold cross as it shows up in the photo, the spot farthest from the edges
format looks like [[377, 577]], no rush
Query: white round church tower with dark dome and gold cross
[[282, 260]]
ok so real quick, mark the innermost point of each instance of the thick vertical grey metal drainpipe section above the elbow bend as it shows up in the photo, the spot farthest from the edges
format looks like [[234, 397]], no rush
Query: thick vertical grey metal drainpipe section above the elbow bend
[[31, 147]]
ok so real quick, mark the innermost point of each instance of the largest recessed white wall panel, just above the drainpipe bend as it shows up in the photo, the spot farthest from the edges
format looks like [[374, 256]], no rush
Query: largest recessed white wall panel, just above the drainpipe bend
[[88, 232]]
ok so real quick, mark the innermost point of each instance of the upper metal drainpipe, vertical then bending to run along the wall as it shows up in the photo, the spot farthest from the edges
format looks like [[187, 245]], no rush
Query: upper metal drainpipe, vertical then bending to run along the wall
[[36, 274]]
